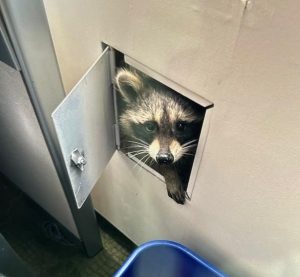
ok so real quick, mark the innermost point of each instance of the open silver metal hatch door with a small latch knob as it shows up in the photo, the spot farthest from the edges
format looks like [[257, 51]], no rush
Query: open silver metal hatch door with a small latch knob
[[84, 124]]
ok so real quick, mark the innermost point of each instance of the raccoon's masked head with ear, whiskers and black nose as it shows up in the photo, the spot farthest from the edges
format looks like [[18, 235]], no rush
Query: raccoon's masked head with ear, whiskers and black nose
[[160, 123]]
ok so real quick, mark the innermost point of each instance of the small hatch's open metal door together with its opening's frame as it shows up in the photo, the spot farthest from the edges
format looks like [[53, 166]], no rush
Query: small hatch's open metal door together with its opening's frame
[[85, 123]]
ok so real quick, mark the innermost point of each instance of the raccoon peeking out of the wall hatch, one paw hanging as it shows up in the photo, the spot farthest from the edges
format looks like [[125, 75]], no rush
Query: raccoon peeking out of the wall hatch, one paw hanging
[[159, 127]]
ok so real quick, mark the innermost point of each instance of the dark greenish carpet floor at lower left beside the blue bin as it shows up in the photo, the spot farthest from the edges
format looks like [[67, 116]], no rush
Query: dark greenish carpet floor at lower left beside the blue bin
[[27, 228]]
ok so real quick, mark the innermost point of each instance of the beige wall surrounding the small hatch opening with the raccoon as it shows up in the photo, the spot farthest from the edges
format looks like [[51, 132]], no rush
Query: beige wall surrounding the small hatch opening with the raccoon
[[244, 212]]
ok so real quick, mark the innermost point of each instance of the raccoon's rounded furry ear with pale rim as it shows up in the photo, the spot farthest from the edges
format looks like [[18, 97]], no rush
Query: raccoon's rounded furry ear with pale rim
[[129, 84]]
